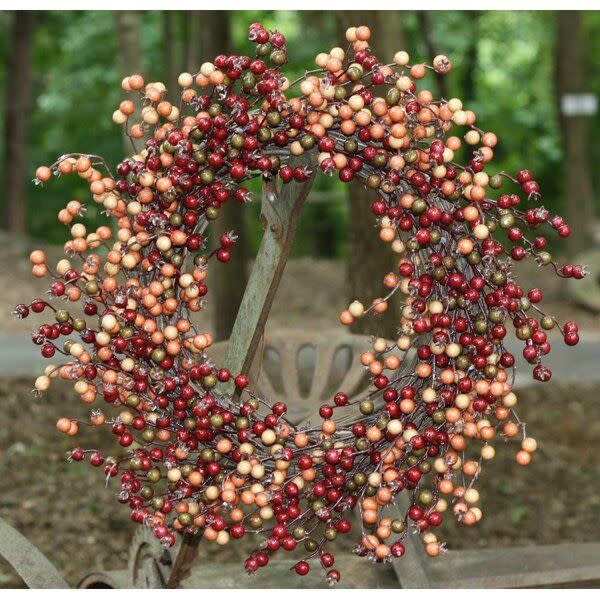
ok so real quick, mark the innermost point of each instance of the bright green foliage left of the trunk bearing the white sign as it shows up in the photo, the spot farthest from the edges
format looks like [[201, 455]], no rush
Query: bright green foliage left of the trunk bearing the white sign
[[516, 93]]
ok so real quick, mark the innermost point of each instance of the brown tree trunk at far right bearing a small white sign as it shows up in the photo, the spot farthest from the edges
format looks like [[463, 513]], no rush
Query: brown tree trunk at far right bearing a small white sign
[[571, 79]]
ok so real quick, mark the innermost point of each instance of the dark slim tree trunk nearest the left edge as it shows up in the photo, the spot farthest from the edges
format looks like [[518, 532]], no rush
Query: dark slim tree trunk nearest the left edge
[[18, 104]]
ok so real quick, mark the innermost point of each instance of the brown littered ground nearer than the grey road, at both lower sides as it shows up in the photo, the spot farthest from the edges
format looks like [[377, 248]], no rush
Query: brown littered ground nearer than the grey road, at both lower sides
[[67, 512]]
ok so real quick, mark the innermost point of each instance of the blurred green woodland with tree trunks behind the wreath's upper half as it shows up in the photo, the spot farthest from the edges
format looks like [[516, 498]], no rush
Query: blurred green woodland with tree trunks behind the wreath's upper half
[[61, 73]]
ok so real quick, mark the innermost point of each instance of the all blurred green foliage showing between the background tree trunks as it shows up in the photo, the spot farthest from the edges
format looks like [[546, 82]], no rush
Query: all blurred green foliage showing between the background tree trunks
[[503, 67]]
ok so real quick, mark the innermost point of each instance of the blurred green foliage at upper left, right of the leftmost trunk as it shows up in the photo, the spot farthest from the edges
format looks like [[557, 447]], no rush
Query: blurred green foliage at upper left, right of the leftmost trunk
[[76, 89]]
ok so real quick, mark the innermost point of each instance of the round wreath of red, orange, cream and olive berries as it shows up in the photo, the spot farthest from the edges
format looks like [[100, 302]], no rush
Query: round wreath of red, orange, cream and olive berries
[[197, 458]]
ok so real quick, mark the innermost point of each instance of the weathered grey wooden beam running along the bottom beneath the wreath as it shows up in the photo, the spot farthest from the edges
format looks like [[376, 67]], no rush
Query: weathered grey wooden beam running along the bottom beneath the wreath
[[511, 567]]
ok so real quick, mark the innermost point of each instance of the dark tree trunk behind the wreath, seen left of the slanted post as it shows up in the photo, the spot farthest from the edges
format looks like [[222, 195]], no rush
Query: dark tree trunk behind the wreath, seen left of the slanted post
[[210, 35]]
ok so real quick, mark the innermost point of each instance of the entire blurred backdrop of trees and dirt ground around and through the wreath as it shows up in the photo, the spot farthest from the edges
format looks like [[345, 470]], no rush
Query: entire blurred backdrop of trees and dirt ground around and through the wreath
[[61, 72]]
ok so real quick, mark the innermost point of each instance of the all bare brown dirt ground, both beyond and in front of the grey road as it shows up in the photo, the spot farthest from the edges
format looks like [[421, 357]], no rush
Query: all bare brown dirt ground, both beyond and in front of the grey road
[[68, 513]]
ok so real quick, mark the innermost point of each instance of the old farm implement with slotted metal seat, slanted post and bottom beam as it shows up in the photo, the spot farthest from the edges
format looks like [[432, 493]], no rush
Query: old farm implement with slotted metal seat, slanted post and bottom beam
[[304, 368]]
